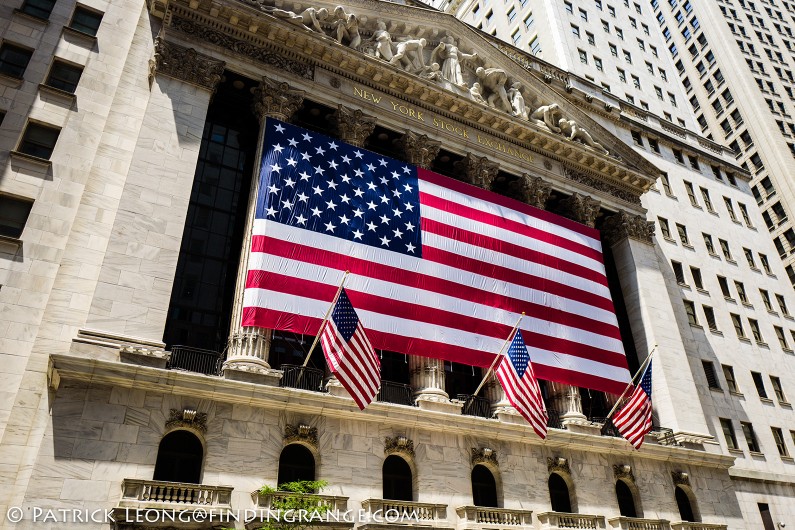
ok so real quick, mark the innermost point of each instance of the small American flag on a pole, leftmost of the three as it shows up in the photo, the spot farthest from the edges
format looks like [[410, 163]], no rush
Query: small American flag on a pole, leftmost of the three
[[349, 354]]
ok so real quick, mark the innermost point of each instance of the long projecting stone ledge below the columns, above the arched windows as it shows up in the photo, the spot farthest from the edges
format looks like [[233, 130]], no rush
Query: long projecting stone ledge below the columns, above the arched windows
[[64, 367]]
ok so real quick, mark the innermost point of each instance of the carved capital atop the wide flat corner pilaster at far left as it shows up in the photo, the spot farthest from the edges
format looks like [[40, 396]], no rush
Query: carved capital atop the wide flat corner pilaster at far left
[[185, 64]]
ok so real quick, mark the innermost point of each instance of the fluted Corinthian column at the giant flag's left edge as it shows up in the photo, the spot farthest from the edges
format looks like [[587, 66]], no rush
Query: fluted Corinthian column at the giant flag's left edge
[[249, 346]]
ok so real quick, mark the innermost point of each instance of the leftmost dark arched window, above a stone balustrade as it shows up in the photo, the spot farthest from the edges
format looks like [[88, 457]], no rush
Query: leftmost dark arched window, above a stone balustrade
[[179, 458]]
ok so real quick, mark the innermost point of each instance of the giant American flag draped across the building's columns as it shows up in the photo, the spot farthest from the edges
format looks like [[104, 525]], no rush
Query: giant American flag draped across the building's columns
[[439, 268]]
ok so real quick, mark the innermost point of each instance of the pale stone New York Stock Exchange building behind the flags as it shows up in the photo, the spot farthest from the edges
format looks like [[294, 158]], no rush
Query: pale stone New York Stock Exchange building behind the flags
[[130, 143]]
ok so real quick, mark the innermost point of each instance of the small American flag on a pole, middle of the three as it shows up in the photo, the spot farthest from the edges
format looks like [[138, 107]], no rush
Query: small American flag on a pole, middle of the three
[[520, 385]]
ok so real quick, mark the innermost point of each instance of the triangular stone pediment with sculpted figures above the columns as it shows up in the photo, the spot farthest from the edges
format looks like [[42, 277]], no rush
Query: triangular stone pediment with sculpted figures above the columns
[[425, 56]]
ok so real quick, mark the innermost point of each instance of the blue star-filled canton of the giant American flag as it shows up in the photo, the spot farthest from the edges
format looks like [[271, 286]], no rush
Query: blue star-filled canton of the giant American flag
[[313, 182]]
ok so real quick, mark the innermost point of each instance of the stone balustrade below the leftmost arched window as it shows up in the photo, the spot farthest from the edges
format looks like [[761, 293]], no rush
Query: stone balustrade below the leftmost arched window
[[155, 494]]
